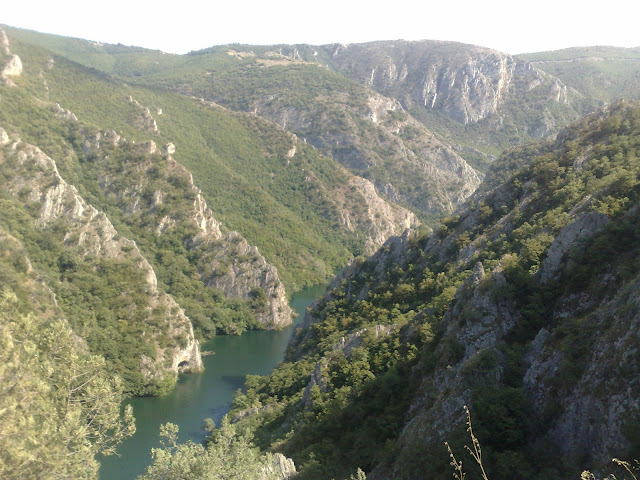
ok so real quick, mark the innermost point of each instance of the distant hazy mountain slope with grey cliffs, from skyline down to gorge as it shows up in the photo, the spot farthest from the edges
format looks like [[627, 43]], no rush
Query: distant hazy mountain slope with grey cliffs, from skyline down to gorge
[[476, 97]]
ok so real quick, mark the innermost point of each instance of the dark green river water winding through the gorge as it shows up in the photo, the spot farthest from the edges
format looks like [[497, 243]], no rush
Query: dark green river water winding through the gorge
[[198, 396]]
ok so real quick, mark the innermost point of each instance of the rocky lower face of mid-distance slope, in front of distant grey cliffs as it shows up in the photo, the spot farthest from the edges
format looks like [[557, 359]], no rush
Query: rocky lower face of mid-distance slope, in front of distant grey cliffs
[[378, 139]]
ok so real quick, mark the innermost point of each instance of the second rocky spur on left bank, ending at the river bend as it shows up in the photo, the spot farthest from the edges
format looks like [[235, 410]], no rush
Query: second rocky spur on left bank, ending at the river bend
[[160, 197]]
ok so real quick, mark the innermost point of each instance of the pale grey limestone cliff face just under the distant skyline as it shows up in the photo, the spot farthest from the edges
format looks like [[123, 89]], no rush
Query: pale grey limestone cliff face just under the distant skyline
[[465, 83]]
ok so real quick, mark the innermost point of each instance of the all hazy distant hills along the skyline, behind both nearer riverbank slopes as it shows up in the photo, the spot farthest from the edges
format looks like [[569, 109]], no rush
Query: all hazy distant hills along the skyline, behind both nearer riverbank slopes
[[402, 114]]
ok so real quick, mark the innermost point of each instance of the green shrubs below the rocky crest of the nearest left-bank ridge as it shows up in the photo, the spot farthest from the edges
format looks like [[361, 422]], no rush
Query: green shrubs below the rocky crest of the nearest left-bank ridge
[[105, 298]]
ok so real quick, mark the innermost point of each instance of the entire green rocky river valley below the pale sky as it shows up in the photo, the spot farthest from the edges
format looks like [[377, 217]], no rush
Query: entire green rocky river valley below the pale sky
[[464, 218]]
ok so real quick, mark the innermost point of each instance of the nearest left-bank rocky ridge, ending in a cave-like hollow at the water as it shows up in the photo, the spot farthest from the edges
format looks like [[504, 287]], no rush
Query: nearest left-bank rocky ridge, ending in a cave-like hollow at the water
[[108, 288]]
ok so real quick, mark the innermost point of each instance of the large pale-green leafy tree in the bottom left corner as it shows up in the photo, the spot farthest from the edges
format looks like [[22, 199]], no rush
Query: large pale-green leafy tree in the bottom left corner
[[58, 405]]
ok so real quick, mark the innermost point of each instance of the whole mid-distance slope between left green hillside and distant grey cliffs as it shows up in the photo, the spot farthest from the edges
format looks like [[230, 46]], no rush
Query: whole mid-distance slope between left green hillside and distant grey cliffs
[[369, 134]]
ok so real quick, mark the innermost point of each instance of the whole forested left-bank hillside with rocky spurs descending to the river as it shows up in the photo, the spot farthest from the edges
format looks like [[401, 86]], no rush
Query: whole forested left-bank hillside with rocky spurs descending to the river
[[131, 247]]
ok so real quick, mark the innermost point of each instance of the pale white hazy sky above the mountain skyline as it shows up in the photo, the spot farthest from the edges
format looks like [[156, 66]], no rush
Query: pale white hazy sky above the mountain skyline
[[184, 25]]
